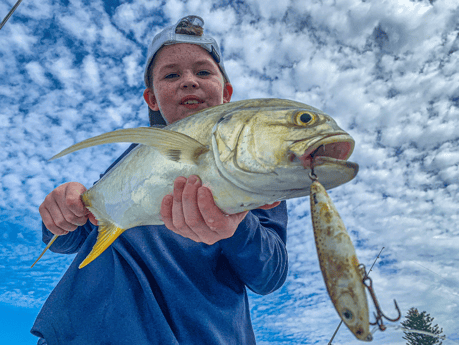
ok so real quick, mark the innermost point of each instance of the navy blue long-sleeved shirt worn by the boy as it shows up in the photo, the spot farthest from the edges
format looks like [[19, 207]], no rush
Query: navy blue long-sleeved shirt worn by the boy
[[152, 286]]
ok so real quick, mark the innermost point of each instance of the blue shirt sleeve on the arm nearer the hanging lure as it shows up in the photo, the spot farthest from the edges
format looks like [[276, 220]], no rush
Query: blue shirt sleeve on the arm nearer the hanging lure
[[257, 251]]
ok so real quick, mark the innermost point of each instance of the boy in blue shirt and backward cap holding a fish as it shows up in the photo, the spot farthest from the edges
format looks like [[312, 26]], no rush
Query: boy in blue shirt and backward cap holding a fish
[[181, 283]]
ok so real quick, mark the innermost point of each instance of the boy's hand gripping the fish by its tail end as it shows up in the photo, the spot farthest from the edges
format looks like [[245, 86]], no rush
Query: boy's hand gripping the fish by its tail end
[[63, 211]]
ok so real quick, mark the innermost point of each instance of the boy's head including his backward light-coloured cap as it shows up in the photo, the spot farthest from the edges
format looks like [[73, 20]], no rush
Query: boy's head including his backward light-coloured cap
[[184, 72]]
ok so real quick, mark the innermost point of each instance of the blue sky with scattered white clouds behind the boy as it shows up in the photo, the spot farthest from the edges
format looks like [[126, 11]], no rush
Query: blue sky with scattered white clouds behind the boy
[[386, 71]]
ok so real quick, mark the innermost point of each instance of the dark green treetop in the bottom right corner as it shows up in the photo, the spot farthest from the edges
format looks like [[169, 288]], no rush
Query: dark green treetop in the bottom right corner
[[421, 322]]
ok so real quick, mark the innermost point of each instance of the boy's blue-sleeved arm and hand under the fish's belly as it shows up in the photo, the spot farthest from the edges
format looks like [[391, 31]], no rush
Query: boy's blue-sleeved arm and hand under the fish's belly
[[253, 242]]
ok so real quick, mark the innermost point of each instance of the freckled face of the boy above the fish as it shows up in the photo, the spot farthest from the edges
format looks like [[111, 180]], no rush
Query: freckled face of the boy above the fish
[[186, 79]]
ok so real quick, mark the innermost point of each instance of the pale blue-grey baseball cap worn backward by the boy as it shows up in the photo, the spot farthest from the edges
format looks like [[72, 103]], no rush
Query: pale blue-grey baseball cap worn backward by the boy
[[170, 36]]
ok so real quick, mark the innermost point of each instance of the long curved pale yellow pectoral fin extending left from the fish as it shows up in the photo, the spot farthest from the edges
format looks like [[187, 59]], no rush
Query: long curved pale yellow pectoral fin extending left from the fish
[[175, 146]]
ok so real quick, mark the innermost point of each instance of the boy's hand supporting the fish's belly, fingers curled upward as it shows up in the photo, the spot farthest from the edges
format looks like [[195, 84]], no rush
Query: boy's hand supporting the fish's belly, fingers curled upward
[[190, 211]]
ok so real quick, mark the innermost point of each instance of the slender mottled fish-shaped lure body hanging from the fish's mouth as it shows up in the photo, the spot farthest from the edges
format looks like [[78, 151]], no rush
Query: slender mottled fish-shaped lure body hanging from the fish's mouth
[[342, 273]]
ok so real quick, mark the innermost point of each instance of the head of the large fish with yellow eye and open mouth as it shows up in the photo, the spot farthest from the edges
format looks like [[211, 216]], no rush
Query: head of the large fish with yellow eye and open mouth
[[273, 144]]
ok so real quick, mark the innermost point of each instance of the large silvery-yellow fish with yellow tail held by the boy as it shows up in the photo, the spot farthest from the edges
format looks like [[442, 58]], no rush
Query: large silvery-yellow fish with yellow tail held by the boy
[[249, 153]]
